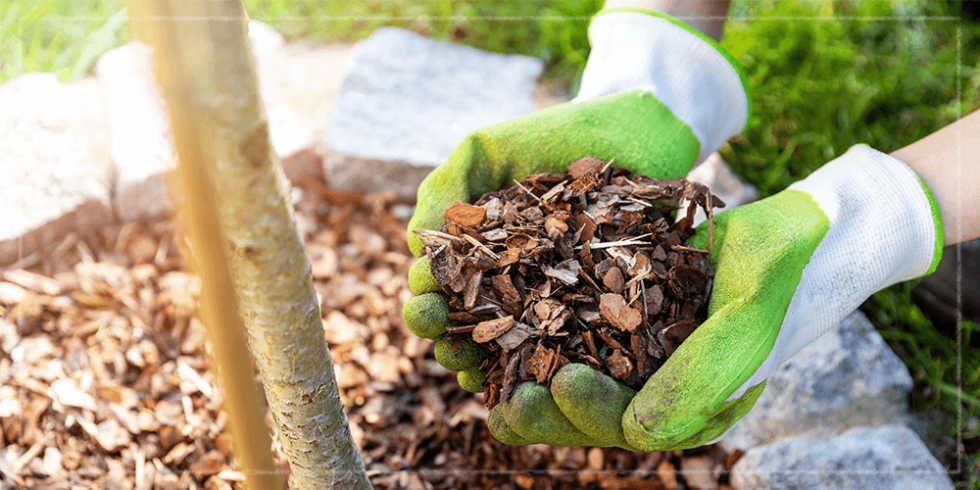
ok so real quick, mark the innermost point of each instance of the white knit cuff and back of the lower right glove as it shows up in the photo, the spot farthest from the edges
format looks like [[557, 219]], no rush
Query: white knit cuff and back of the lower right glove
[[884, 229]]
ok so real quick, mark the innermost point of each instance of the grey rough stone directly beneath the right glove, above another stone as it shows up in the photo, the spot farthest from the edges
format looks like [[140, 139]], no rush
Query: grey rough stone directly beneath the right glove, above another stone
[[848, 377]]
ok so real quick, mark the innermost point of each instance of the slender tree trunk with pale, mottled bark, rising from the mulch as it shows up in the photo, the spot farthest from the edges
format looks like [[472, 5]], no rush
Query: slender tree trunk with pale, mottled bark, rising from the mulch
[[205, 69]]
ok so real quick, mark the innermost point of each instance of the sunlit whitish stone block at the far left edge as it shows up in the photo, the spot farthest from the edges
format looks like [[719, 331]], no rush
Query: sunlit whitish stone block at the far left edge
[[54, 158]]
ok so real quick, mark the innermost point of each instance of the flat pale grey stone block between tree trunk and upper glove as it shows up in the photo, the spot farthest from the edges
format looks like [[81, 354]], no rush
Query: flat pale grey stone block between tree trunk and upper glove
[[407, 101]]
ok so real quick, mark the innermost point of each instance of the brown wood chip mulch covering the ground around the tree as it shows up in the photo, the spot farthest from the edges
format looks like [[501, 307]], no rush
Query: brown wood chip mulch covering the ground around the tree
[[104, 381]]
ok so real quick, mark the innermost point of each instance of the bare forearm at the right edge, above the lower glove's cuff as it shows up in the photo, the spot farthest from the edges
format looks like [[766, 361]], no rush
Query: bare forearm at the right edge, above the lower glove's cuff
[[947, 161]]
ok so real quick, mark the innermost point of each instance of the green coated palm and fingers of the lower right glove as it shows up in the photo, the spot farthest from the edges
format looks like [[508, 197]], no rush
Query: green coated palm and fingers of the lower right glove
[[759, 254]]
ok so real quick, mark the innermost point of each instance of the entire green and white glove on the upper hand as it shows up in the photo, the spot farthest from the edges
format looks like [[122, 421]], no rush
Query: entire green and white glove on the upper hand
[[655, 95]]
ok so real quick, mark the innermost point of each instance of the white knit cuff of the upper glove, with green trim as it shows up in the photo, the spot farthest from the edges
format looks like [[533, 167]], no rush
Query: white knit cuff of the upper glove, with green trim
[[684, 71]]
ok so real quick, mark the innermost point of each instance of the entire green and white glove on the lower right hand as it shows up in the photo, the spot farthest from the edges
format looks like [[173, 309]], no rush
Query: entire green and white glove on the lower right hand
[[787, 270]]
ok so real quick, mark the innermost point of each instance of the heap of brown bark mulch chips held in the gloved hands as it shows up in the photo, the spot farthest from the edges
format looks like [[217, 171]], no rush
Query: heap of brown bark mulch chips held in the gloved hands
[[573, 268]]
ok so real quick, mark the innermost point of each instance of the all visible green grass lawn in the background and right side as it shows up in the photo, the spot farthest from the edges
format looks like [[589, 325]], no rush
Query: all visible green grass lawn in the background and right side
[[823, 75]]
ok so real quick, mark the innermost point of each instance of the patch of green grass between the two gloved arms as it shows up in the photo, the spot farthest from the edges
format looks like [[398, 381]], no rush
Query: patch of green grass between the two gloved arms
[[821, 85]]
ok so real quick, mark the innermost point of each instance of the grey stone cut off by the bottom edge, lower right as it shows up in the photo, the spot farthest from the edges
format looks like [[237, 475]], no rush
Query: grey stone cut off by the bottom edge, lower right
[[889, 457]]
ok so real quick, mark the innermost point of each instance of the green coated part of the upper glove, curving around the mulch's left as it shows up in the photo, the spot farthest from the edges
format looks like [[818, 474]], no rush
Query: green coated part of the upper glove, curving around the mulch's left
[[632, 127]]
